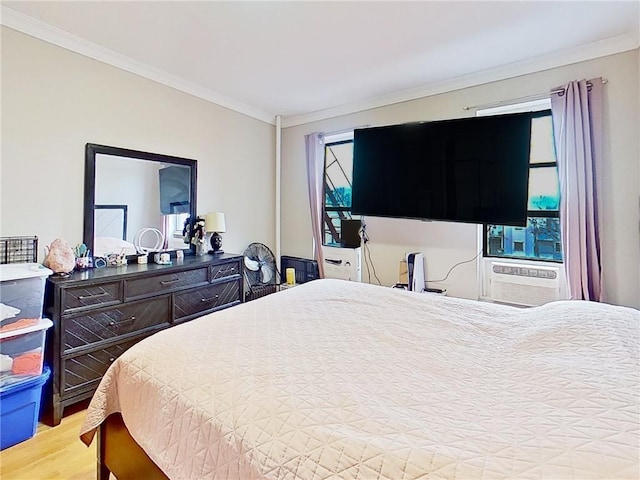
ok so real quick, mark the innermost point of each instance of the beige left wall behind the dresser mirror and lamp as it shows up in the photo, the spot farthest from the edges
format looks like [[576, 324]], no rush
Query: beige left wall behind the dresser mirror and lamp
[[55, 101]]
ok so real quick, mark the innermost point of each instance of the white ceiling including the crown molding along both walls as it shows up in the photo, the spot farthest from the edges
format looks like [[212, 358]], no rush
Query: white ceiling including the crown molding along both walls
[[307, 60]]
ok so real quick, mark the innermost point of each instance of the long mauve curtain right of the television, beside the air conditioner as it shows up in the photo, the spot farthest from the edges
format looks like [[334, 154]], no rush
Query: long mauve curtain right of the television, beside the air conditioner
[[577, 125]]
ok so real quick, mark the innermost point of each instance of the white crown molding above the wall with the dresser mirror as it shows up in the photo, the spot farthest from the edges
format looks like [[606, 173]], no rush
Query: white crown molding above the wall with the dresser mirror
[[35, 28]]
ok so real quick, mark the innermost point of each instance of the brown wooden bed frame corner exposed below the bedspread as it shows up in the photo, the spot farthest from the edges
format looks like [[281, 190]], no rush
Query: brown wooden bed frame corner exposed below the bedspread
[[119, 454]]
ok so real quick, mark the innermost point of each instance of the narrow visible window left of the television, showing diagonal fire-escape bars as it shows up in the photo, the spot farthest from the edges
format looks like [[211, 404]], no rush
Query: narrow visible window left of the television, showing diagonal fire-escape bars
[[338, 169]]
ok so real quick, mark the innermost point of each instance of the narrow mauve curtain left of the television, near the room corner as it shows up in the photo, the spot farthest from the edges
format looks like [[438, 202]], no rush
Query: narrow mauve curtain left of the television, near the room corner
[[315, 179]]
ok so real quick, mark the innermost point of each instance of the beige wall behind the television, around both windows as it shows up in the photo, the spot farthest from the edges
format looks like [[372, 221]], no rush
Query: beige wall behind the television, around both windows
[[445, 244]]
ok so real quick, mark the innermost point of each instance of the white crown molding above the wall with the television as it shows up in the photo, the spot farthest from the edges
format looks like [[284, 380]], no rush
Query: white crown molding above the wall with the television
[[609, 46]]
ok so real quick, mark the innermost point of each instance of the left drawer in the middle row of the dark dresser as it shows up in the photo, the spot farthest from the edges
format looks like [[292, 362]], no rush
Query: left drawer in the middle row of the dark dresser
[[97, 326]]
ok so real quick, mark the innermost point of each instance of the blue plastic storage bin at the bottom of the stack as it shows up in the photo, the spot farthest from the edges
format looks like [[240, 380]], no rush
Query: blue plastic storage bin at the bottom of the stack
[[19, 410]]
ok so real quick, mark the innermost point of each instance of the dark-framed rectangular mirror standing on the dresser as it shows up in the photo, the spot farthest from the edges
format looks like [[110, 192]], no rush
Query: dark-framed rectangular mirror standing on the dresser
[[136, 200]]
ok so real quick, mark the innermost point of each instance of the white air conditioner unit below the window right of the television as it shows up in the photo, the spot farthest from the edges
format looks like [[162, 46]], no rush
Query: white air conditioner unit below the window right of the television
[[526, 285]]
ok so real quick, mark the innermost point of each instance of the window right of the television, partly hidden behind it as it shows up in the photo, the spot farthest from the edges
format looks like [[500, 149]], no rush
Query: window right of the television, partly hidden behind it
[[540, 239]]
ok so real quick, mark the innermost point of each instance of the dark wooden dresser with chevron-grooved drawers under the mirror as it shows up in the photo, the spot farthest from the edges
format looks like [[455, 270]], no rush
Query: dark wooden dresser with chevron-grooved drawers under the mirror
[[100, 313]]
